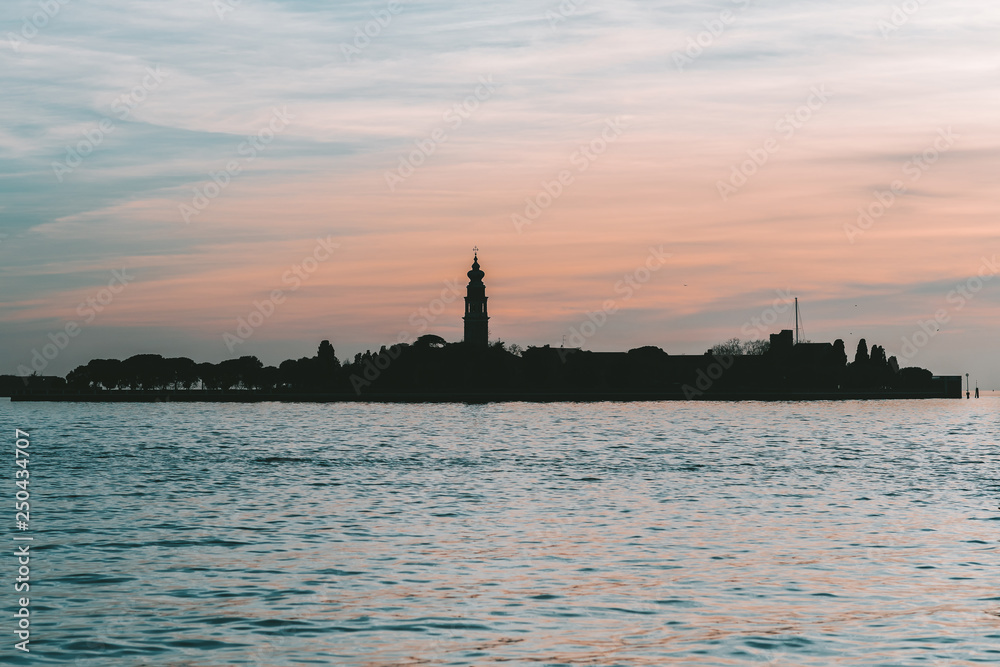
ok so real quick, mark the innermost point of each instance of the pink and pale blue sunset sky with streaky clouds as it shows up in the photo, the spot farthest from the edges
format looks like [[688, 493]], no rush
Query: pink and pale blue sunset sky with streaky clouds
[[216, 178]]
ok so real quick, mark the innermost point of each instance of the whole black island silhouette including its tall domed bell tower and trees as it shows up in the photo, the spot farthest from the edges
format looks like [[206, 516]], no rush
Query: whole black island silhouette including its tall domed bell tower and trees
[[474, 370]]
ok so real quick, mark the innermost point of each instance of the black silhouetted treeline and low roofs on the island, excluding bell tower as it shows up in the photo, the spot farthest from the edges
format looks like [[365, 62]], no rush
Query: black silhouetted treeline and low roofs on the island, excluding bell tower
[[430, 366]]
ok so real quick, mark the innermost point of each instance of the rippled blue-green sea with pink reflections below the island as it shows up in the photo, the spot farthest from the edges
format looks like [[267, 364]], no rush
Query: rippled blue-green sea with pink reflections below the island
[[674, 533]]
